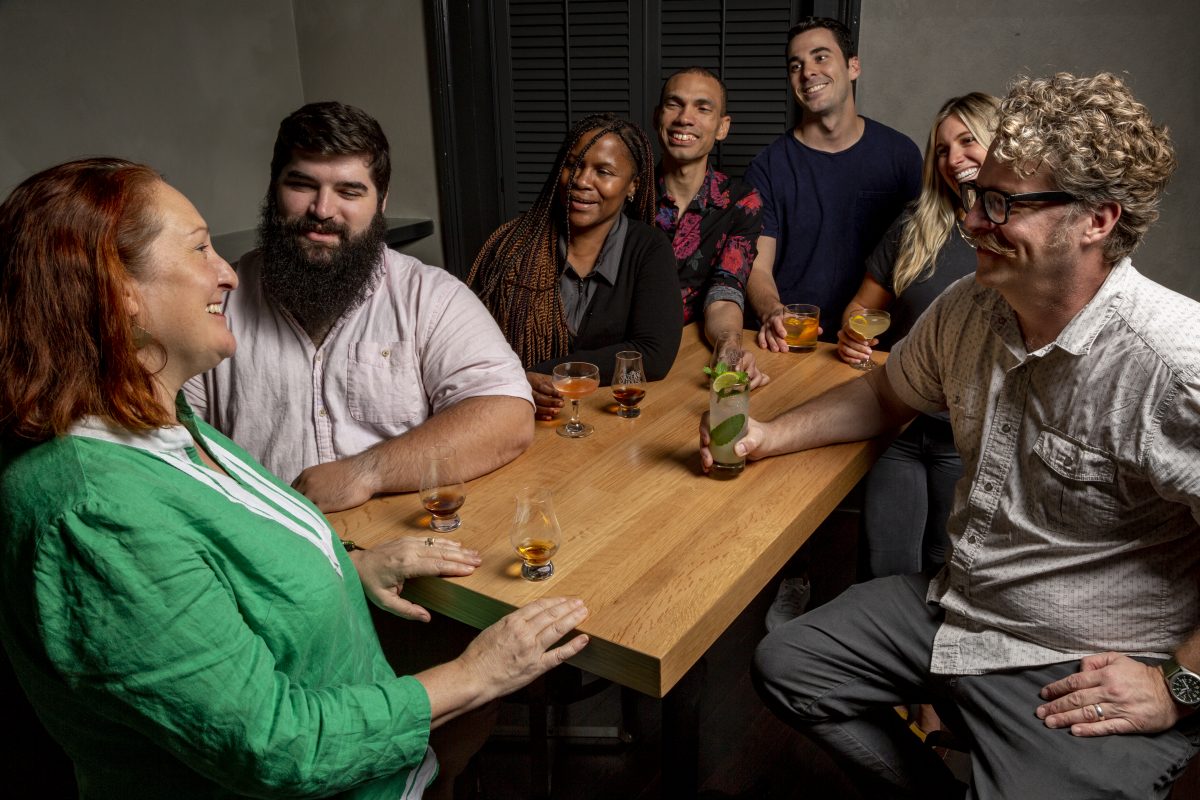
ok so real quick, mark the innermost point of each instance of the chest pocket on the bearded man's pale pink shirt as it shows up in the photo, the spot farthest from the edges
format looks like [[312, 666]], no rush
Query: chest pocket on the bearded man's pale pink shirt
[[385, 386]]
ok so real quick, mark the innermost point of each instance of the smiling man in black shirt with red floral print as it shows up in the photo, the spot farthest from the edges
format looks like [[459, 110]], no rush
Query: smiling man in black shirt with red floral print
[[712, 220]]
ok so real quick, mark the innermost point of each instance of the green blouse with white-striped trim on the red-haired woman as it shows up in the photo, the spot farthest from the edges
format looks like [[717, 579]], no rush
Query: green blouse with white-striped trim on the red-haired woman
[[188, 635]]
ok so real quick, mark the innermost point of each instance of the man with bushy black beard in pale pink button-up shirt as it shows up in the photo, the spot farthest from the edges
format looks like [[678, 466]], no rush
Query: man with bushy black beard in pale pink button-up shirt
[[355, 359]]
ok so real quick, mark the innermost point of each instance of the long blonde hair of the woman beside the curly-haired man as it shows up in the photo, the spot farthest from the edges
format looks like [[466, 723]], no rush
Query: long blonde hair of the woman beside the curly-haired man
[[933, 214]]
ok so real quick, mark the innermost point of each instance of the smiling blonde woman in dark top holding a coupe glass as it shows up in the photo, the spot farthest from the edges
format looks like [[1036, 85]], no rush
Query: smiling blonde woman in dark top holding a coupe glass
[[910, 491]]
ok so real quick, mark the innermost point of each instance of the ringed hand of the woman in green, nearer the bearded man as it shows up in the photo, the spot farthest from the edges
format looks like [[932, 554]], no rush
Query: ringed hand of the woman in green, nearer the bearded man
[[385, 568]]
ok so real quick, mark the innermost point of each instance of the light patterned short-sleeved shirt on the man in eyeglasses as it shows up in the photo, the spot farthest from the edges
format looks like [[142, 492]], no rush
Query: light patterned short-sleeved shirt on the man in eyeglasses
[[1076, 526]]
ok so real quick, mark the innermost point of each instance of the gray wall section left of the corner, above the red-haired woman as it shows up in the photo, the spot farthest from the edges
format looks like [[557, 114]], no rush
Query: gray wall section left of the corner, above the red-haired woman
[[194, 89]]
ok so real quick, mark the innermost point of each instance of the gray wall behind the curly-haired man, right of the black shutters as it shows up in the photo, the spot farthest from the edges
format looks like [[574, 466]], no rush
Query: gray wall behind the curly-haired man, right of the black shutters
[[917, 53]]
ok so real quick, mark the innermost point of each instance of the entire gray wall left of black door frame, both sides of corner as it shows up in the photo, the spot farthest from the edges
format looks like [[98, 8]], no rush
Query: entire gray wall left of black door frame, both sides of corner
[[197, 89]]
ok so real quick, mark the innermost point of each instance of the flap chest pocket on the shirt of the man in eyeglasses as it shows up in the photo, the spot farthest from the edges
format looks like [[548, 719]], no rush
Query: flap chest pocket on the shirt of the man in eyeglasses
[[1077, 485]]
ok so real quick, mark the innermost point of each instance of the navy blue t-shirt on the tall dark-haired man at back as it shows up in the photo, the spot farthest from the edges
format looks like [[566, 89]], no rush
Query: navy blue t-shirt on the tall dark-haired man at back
[[829, 210]]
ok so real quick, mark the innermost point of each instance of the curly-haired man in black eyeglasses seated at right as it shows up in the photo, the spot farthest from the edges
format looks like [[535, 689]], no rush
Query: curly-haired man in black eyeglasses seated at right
[[1070, 609]]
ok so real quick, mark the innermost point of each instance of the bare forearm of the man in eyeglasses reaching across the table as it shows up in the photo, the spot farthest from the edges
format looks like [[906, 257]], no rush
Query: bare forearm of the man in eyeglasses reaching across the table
[[856, 411]]
